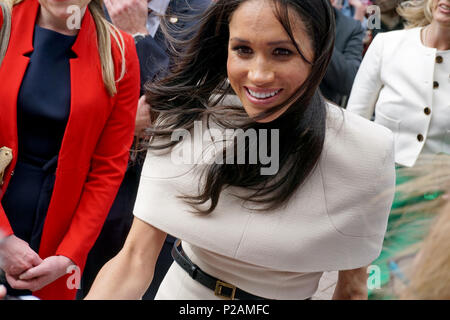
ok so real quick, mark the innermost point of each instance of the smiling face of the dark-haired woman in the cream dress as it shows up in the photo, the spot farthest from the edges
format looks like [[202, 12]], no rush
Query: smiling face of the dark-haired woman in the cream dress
[[264, 67]]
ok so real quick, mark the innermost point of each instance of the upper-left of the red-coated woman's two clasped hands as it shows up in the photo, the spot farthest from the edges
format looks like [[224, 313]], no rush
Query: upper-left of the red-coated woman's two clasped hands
[[17, 256]]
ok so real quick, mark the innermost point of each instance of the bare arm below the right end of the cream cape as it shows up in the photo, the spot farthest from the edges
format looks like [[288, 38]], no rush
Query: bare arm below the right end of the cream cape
[[351, 285]]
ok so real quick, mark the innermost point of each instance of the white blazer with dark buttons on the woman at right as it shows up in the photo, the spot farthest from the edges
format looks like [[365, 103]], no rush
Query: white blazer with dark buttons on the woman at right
[[396, 81]]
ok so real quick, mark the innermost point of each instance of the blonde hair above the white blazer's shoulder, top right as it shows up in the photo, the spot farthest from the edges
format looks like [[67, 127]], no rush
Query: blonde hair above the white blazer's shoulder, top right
[[417, 13]]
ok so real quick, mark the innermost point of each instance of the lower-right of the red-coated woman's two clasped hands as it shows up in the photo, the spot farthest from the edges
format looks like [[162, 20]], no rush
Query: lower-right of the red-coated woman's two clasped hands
[[36, 278]]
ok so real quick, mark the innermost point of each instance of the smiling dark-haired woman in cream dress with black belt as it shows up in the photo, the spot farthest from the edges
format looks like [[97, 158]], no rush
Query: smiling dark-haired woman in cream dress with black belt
[[246, 235]]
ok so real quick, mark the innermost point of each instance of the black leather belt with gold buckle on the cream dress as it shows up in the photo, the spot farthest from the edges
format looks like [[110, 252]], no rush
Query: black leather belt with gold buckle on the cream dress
[[221, 288]]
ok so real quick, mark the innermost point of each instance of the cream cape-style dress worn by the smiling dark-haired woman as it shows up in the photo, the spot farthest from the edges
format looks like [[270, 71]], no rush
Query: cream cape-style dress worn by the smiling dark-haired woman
[[335, 221]]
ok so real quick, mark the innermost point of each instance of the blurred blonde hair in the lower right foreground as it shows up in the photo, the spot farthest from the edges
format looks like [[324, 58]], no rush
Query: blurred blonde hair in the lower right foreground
[[429, 276]]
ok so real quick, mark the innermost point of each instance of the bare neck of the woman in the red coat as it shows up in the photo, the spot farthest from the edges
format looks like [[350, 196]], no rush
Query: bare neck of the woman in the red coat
[[56, 14]]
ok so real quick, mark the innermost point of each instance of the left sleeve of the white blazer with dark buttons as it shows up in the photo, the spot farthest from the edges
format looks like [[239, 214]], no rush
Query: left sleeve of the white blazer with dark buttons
[[367, 84]]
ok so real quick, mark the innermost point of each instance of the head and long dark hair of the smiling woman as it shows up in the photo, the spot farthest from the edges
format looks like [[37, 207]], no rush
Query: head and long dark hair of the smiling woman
[[279, 51]]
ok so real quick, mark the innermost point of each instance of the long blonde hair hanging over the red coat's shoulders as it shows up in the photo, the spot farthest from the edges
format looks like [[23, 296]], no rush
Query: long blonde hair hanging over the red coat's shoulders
[[105, 31]]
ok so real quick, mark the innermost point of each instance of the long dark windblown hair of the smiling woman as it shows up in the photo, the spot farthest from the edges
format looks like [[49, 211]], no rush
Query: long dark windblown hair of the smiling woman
[[198, 83]]
